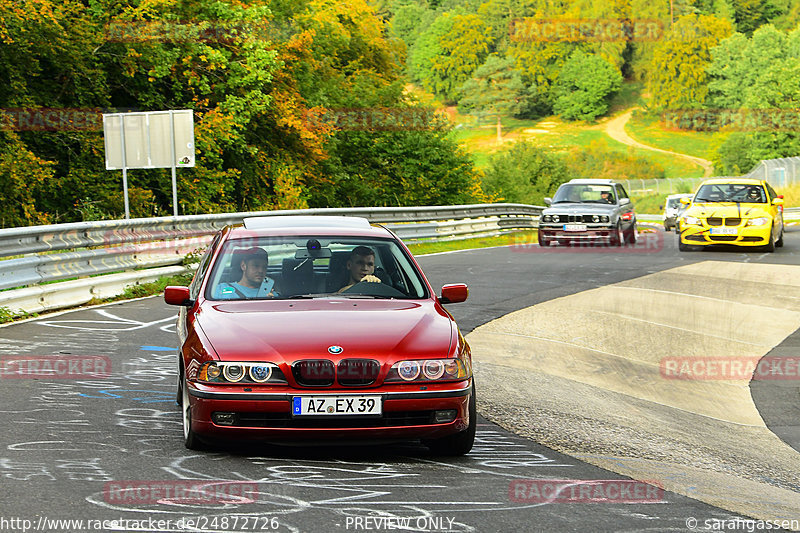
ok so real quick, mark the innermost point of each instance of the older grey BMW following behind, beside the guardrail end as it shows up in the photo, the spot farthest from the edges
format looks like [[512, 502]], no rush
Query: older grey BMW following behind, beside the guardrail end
[[590, 211]]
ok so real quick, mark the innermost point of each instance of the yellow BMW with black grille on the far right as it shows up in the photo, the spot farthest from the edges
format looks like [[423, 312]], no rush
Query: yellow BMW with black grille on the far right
[[741, 212]]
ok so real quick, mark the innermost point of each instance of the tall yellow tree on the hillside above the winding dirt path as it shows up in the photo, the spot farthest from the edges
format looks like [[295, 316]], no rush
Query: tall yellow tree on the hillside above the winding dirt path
[[678, 77]]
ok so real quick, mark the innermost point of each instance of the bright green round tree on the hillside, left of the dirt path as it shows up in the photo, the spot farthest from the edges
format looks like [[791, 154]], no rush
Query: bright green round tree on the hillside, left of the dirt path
[[585, 86]]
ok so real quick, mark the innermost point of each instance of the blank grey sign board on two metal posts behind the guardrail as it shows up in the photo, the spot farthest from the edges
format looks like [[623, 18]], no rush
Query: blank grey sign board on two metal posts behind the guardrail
[[153, 139]]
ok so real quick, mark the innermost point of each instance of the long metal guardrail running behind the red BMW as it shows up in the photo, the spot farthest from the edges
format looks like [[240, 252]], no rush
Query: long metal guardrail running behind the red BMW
[[117, 245]]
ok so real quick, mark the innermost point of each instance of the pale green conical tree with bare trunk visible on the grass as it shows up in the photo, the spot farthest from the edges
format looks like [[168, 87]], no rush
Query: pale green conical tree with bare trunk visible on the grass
[[496, 89]]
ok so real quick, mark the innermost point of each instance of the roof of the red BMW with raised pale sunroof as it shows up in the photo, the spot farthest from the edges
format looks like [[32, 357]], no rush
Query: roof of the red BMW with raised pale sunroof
[[291, 225]]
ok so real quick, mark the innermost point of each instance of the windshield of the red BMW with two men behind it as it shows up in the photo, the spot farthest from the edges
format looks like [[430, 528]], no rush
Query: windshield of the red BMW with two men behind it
[[313, 267]]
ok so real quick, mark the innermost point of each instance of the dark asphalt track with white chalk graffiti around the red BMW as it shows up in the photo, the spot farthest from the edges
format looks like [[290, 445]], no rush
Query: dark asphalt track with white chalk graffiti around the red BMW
[[83, 449]]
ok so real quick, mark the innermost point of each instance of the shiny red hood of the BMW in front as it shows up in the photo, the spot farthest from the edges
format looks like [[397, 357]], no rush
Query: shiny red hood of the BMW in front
[[286, 330]]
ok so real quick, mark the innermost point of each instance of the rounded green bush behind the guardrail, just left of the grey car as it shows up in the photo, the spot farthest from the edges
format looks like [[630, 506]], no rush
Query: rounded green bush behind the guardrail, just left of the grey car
[[524, 174]]
